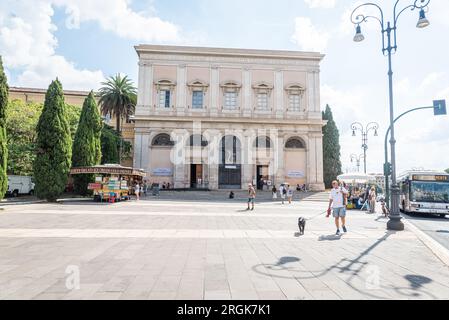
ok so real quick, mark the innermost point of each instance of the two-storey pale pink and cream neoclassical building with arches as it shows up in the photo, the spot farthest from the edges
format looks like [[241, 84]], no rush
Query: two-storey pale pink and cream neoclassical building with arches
[[222, 118]]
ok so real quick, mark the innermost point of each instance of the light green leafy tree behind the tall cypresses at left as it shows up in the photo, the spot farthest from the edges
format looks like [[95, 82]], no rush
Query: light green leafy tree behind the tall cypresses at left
[[21, 123]]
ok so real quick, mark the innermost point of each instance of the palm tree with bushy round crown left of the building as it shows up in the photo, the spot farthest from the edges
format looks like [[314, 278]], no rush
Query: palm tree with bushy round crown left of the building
[[118, 97]]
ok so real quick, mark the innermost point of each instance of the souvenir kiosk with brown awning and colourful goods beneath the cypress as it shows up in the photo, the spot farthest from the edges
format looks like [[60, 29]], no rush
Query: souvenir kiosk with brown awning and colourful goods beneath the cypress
[[112, 182]]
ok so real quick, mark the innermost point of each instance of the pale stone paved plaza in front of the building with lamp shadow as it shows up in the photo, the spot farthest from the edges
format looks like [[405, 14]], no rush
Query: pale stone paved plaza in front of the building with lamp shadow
[[176, 247]]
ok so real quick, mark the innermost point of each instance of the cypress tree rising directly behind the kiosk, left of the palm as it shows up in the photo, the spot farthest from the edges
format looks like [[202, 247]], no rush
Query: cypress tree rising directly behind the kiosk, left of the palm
[[87, 143]]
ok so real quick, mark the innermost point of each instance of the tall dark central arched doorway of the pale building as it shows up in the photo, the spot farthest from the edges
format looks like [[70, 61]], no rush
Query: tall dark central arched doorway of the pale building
[[230, 168]]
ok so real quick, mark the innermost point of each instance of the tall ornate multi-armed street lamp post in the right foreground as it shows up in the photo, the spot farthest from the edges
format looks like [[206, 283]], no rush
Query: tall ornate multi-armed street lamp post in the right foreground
[[389, 31]]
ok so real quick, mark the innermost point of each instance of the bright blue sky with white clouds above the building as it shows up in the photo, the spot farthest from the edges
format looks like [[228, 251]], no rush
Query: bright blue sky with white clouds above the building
[[84, 41]]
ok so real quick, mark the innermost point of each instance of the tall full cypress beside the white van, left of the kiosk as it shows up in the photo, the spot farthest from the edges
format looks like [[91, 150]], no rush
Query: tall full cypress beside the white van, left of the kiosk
[[53, 146]]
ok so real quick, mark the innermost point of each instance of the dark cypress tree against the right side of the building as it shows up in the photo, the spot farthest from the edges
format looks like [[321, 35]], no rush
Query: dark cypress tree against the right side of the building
[[331, 148]]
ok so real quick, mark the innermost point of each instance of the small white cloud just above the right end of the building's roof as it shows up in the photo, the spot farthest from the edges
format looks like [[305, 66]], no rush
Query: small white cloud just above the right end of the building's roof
[[308, 37]]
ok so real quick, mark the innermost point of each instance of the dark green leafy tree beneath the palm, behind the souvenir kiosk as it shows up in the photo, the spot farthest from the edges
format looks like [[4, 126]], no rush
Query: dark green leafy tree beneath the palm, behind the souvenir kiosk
[[110, 144]]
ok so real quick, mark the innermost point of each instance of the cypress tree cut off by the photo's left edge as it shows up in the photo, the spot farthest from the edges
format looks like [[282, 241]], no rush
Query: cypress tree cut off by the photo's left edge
[[4, 92]]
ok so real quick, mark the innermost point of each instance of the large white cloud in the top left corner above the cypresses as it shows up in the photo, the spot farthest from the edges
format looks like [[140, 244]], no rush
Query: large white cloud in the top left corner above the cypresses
[[28, 45]]
